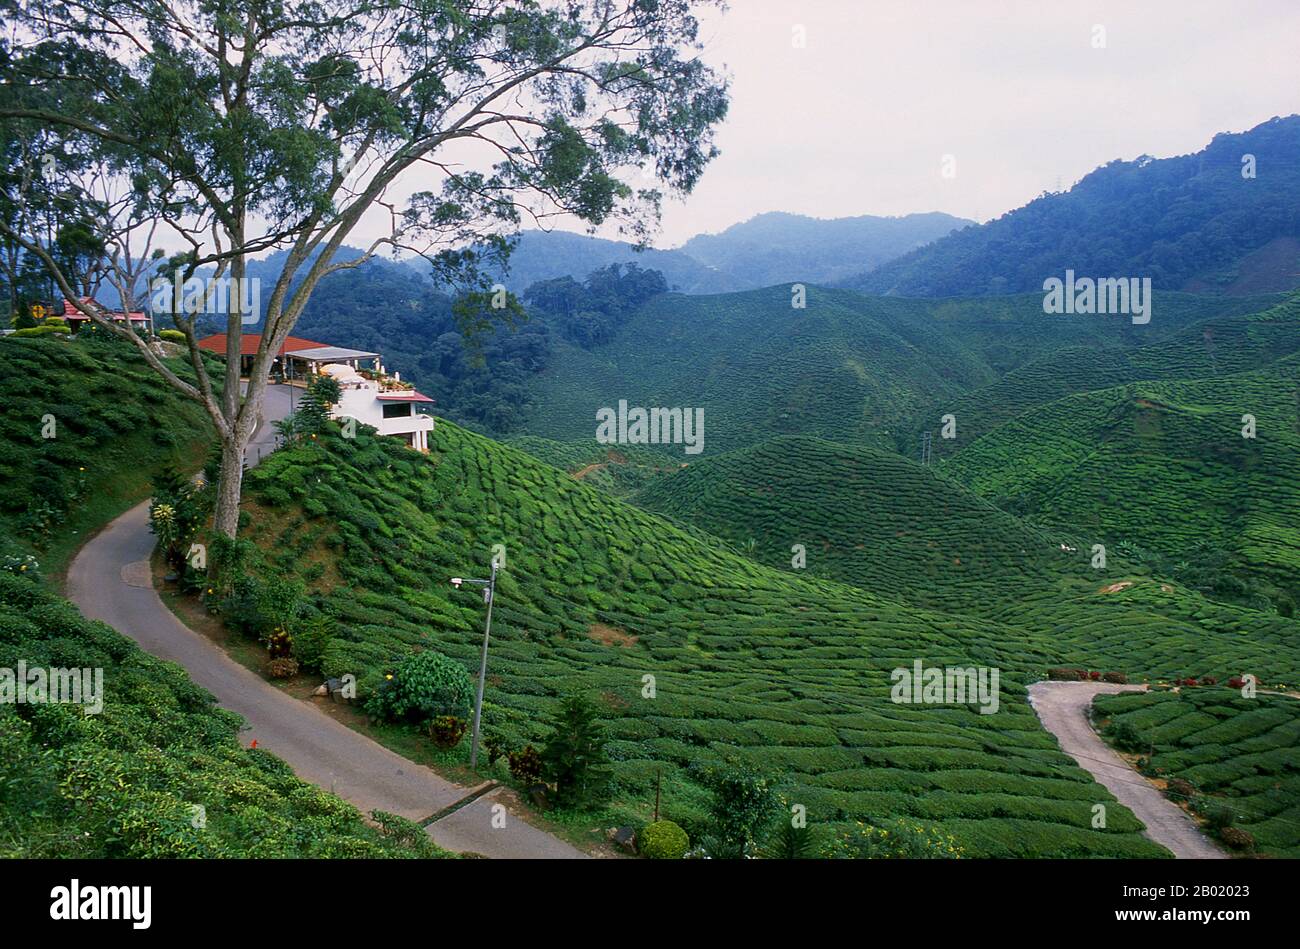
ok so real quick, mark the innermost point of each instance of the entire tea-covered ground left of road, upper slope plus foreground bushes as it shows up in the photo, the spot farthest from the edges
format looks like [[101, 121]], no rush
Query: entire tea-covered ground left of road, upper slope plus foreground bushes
[[131, 781]]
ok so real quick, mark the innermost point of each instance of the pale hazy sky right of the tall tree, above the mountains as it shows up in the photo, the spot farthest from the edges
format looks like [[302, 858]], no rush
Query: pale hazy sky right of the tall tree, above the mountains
[[859, 122]]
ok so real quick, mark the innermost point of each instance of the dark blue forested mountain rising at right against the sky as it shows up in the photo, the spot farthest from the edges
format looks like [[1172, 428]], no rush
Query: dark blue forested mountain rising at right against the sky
[[1225, 219]]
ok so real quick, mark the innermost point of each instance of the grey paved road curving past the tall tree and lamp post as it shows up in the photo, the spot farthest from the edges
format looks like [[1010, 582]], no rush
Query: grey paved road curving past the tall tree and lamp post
[[111, 580]]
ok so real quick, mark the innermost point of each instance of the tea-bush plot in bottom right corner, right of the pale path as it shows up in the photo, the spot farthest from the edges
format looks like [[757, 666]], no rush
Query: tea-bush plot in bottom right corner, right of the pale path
[[1237, 753]]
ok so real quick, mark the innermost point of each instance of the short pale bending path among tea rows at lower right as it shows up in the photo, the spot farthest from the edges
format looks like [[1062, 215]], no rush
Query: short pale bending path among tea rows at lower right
[[1064, 710]]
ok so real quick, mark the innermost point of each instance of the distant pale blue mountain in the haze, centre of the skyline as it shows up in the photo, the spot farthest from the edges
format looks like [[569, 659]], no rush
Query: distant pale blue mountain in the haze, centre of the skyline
[[783, 249]]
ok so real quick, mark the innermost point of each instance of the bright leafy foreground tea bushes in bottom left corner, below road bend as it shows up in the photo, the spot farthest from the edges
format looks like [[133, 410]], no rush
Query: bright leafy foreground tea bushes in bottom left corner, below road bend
[[159, 773]]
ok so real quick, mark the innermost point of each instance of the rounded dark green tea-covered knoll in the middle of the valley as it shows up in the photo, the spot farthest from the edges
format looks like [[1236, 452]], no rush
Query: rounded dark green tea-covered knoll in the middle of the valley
[[868, 518]]
